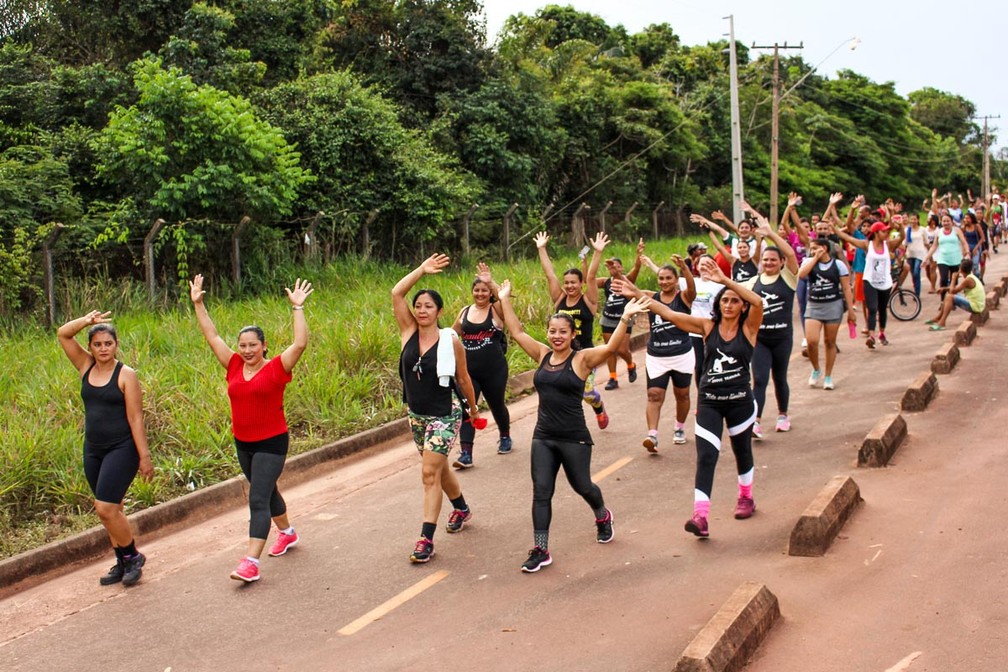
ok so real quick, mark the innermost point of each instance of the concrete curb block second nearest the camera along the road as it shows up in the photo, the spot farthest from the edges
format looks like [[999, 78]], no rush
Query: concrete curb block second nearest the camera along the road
[[823, 519]]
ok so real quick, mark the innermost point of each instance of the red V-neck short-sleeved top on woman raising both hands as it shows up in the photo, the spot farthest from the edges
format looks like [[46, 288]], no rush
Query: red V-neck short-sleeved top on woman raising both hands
[[258, 405]]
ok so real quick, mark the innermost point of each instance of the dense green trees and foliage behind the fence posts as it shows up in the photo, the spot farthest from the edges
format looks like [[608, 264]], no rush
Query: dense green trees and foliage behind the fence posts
[[394, 118]]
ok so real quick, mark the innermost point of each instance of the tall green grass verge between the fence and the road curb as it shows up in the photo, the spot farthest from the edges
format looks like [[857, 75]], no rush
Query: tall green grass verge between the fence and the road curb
[[345, 383]]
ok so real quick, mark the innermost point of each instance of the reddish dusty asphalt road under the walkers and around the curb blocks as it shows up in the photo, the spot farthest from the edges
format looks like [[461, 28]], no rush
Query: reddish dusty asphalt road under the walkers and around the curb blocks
[[917, 581]]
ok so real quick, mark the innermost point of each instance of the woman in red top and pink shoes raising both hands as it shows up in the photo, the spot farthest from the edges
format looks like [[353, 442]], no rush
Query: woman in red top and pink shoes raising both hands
[[256, 387]]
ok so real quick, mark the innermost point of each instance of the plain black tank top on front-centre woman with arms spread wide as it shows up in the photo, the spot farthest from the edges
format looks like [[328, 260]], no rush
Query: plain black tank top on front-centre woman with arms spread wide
[[562, 416]]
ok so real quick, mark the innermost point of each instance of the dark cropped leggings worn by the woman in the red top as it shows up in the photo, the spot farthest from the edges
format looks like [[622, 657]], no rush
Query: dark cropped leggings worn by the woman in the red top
[[263, 470]]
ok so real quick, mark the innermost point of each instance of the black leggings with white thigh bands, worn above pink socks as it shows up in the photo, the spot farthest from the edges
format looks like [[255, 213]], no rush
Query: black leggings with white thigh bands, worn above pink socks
[[739, 416]]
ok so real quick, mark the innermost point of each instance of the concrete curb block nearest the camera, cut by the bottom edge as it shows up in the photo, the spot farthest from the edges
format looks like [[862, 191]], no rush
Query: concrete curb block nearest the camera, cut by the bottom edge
[[730, 638]]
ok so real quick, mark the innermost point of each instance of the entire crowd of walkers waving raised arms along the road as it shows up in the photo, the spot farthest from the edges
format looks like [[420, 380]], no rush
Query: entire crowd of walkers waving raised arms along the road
[[725, 321]]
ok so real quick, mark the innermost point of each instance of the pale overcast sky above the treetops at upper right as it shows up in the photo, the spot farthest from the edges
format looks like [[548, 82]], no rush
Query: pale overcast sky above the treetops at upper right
[[959, 47]]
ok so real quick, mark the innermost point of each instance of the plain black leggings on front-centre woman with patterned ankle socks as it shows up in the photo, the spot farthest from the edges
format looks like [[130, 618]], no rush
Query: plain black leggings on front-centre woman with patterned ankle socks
[[548, 458]]
